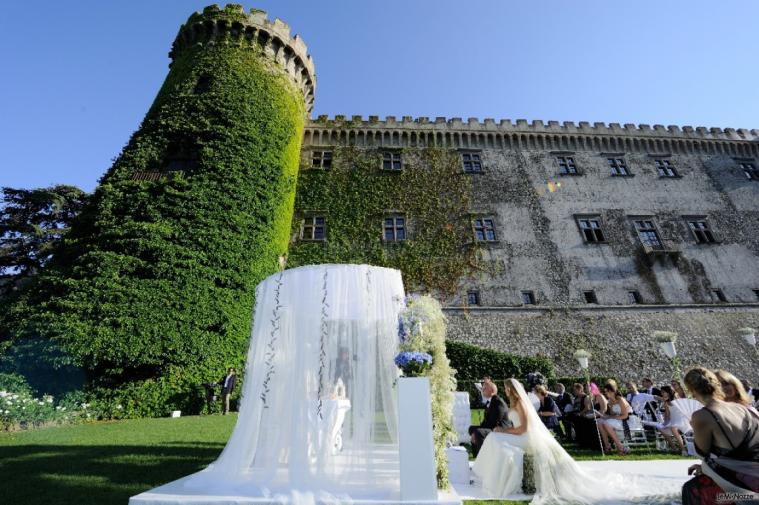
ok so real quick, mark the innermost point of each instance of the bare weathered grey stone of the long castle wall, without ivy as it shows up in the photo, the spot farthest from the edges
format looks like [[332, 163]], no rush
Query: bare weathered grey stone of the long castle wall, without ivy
[[541, 250]]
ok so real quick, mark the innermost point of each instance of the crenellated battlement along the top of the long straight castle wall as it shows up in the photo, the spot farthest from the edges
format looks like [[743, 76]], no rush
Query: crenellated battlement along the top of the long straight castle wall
[[551, 135]]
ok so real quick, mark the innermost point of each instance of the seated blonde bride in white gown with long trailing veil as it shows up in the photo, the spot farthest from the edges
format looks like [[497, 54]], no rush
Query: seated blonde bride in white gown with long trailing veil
[[558, 478]]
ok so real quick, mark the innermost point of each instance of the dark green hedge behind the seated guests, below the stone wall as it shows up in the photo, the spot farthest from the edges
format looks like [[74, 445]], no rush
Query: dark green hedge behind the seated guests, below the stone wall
[[472, 363]]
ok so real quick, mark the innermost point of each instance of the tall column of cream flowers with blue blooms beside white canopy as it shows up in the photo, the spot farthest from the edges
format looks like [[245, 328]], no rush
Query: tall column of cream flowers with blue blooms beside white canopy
[[421, 329]]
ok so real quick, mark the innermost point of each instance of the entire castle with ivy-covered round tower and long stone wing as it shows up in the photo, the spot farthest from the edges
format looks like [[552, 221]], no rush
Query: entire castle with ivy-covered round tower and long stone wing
[[539, 238]]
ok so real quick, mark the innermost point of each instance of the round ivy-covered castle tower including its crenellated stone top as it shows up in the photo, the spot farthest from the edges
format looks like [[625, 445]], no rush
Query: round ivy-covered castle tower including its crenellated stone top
[[153, 290]]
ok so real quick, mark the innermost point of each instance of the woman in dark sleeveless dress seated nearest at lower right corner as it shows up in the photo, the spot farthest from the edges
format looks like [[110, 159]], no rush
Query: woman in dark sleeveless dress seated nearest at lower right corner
[[726, 436]]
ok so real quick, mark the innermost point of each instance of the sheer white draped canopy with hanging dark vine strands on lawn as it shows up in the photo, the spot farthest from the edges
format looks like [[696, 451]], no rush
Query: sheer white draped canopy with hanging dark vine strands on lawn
[[295, 439]]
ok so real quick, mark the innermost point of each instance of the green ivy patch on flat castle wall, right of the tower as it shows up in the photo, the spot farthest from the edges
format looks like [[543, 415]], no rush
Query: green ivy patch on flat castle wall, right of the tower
[[355, 194]]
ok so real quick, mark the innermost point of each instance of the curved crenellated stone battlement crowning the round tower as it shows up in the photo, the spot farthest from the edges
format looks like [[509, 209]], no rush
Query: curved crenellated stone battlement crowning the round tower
[[232, 25]]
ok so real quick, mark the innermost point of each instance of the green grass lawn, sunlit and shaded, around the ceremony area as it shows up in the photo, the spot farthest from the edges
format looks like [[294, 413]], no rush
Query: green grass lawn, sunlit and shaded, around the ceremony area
[[107, 462]]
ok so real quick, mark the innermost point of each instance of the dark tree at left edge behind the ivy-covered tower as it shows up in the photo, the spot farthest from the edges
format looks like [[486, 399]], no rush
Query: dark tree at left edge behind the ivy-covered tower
[[32, 223]]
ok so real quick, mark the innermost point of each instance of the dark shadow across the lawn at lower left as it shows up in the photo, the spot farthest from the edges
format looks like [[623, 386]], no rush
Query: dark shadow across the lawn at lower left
[[102, 475]]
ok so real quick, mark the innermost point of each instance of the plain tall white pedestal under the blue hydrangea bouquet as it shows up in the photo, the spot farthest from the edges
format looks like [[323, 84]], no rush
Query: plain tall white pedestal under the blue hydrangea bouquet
[[417, 455]]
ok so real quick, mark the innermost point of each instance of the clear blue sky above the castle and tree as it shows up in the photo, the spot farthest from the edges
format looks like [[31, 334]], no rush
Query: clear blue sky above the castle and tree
[[78, 76]]
